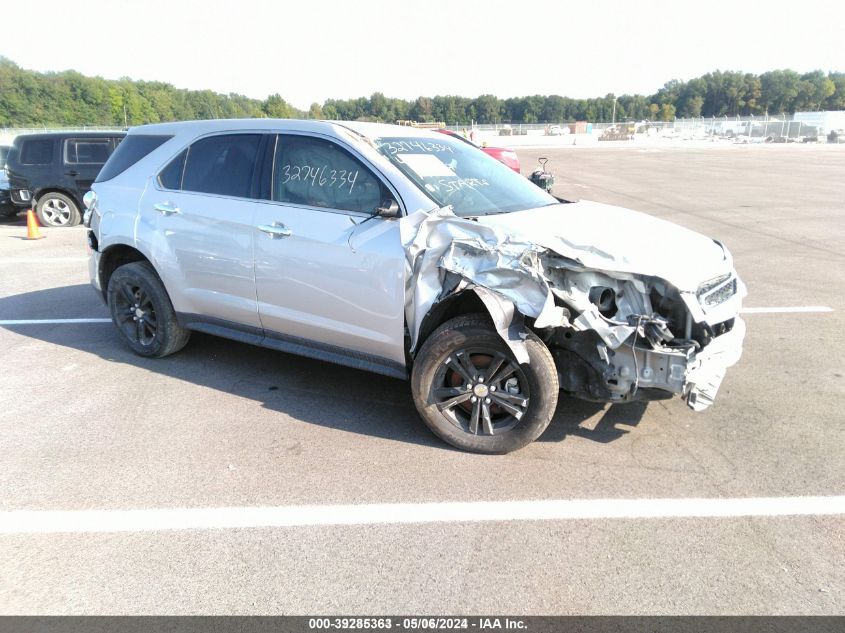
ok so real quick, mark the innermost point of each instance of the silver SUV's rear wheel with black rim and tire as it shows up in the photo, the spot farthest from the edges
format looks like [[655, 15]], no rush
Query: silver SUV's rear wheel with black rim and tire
[[135, 292]]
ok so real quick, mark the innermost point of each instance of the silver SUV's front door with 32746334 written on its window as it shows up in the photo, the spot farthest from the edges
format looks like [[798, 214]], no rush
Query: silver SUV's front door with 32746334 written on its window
[[330, 273]]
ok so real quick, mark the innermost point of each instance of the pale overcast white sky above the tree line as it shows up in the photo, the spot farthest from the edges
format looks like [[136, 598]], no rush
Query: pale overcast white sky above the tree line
[[312, 50]]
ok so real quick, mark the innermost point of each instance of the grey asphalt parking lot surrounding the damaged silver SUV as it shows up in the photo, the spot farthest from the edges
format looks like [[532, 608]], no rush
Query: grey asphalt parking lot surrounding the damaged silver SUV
[[87, 426]]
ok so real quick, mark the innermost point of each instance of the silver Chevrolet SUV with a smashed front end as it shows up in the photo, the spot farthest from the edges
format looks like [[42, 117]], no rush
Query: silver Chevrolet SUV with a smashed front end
[[412, 255]]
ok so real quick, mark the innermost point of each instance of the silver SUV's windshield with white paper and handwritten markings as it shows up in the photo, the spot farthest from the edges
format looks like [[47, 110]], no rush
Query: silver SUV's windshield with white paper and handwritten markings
[[455, 173]]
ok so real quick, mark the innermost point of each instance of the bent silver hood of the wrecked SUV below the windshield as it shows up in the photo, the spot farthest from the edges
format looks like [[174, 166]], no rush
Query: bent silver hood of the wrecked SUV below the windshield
[[605, 237]]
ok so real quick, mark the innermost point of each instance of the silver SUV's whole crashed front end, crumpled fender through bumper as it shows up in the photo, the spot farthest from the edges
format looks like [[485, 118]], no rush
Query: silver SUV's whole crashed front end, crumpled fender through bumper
[[617, 334]]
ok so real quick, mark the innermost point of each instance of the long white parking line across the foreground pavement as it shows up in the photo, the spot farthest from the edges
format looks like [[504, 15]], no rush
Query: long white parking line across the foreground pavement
[[155, 520]]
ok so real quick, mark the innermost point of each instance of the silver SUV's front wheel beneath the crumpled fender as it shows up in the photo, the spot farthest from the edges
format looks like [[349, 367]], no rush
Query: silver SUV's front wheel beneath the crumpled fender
[[439, 383]]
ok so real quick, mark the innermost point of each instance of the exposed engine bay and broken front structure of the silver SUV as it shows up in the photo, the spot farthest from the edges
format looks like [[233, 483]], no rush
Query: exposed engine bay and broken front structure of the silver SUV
[[628, 338]]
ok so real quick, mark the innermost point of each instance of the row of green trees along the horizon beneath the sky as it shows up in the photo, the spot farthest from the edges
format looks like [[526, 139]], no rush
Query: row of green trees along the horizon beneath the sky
[[29, 98]]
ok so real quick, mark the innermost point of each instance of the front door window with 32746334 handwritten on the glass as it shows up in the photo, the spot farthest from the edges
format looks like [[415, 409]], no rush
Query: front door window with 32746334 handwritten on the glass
[[317, 173]]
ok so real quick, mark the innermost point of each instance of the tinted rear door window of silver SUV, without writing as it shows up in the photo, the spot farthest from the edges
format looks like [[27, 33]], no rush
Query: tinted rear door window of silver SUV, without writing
[[222, 165]]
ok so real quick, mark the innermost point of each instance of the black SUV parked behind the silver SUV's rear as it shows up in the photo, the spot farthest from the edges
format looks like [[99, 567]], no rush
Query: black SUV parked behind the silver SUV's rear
[[52, 171]]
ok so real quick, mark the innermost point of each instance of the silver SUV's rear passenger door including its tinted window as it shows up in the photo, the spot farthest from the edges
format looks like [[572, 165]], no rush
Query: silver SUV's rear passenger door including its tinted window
[[198, 215]]
